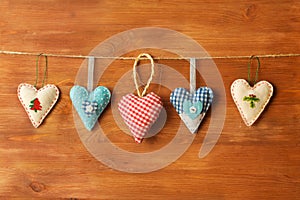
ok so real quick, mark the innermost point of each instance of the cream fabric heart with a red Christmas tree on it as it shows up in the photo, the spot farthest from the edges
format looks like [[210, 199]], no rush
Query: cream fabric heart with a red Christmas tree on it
[[37, 103]]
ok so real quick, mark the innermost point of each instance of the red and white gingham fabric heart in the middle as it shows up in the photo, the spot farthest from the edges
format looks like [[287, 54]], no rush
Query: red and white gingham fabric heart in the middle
[[139, 113]]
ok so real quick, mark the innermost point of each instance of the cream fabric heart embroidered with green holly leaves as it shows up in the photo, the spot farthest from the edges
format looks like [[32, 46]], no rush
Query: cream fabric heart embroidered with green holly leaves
[[251, 101]]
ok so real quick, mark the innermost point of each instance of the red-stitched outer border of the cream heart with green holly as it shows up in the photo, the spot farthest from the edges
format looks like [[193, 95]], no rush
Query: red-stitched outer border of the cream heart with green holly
[[251, 88]]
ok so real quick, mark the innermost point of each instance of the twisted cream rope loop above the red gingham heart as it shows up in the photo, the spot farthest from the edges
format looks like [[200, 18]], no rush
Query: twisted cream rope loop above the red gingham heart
[[135, 74]]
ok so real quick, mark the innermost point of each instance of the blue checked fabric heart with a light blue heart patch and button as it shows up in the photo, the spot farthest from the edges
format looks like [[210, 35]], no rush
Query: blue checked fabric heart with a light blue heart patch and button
[[192, 107]]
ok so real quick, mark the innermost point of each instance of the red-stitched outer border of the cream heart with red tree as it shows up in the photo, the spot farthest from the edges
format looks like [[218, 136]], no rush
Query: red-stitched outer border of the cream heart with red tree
[[36, 125]]
